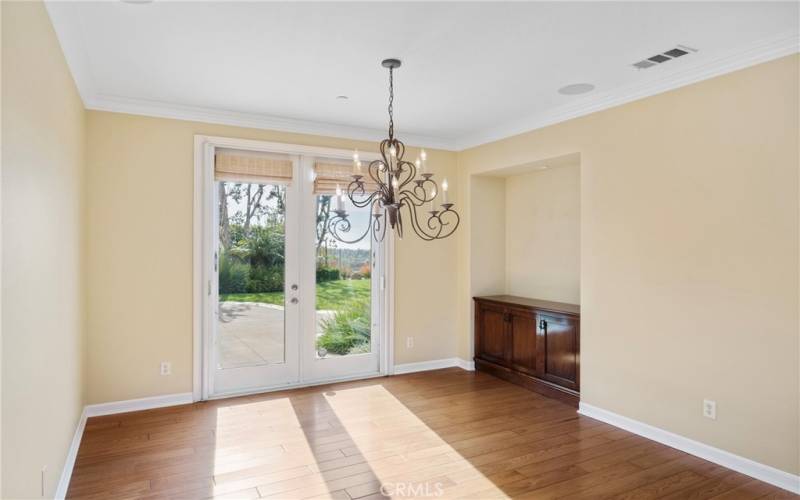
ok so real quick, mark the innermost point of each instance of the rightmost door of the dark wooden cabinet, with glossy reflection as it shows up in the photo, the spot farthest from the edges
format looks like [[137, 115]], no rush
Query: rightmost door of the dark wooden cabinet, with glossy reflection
[[558, 349]]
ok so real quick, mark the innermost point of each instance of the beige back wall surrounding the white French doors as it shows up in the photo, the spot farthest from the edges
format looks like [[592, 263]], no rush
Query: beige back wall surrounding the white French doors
[[140, 188]]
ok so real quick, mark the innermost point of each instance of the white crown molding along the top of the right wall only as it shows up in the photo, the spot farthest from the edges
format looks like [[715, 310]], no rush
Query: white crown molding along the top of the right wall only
[[762, 51]]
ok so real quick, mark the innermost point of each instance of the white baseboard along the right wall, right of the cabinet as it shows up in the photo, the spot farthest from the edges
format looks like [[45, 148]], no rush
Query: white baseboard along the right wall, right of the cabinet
[[771, 475]]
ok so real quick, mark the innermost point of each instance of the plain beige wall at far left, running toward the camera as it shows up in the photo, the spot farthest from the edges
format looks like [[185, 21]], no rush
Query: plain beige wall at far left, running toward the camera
[[43, 125]]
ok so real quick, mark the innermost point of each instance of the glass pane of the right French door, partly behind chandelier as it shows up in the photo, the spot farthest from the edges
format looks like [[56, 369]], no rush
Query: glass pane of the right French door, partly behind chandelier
[[344, 284]]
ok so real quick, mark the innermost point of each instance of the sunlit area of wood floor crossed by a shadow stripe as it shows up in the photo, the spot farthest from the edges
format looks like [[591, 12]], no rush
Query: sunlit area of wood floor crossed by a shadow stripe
[[319, 445]]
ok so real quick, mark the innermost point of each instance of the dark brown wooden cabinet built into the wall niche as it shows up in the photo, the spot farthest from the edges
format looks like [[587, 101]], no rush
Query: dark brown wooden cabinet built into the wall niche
[[530, 342]]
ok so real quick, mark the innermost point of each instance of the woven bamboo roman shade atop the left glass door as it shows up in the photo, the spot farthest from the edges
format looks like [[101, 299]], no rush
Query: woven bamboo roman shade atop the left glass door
[[246, 166]]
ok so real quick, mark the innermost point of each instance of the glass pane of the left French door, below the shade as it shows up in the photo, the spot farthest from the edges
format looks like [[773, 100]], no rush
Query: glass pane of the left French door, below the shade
[[251, 320]]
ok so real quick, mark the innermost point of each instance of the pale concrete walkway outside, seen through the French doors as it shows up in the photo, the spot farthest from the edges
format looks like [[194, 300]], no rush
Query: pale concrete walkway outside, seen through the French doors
[[252, 334]]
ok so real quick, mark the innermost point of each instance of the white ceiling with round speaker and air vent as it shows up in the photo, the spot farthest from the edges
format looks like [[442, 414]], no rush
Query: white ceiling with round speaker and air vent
[[472, 72]]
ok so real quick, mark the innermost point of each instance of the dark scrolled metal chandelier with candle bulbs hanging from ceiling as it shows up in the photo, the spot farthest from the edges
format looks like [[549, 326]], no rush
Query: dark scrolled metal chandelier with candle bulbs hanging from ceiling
[[399, 193]]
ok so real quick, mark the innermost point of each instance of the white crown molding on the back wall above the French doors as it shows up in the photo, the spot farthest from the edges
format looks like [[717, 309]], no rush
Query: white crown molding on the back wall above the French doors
[[158, 109]]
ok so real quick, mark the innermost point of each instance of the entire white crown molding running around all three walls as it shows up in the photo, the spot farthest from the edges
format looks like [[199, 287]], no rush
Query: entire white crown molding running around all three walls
[[780, 45]]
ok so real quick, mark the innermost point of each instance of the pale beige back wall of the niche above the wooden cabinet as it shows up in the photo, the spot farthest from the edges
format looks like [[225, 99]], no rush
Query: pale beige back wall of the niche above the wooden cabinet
[[543, 234]]
